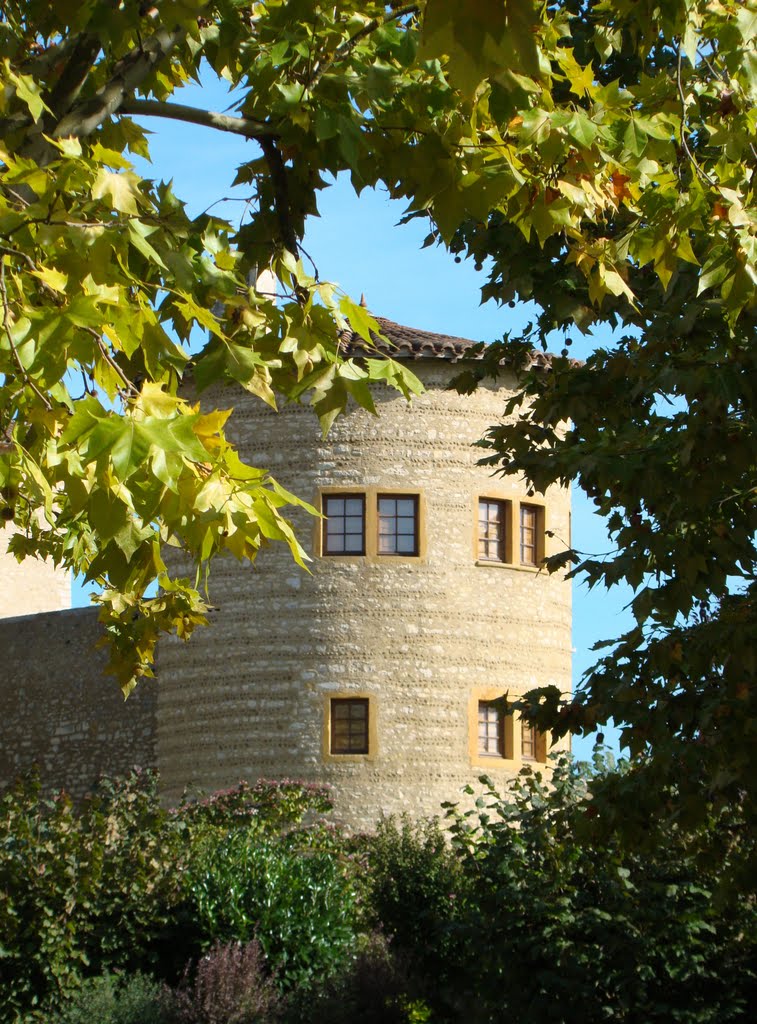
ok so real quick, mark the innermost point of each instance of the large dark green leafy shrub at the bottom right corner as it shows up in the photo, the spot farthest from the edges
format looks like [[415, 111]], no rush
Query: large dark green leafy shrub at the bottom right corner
[[568, 925]]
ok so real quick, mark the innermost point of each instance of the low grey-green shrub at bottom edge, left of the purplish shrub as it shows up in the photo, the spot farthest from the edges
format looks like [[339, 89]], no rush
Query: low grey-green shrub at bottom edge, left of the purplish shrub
[[110, 1000]]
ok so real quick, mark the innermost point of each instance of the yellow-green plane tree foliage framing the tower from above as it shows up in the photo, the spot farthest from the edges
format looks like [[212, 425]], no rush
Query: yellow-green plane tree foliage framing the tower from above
[[596, 157]]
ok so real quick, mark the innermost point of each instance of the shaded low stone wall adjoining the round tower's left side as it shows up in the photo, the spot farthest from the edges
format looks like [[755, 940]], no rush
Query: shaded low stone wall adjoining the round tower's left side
[[60, 711]]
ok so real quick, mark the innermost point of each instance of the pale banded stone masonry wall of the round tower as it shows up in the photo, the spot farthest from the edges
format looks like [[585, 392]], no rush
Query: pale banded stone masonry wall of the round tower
[[424, 638]]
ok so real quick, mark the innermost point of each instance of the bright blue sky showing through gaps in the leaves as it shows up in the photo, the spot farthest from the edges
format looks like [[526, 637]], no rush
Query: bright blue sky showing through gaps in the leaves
[[356, 242]]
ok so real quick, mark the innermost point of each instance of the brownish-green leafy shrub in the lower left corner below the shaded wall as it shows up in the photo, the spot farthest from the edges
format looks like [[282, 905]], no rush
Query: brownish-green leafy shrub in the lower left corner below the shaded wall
[[87, 890]]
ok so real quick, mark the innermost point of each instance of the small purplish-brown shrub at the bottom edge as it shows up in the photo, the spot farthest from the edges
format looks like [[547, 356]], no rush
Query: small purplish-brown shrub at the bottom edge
[[229, 987]]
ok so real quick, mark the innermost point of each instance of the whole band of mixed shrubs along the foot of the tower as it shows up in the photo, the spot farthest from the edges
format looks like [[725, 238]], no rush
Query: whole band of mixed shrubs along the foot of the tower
[[519, 912]]
